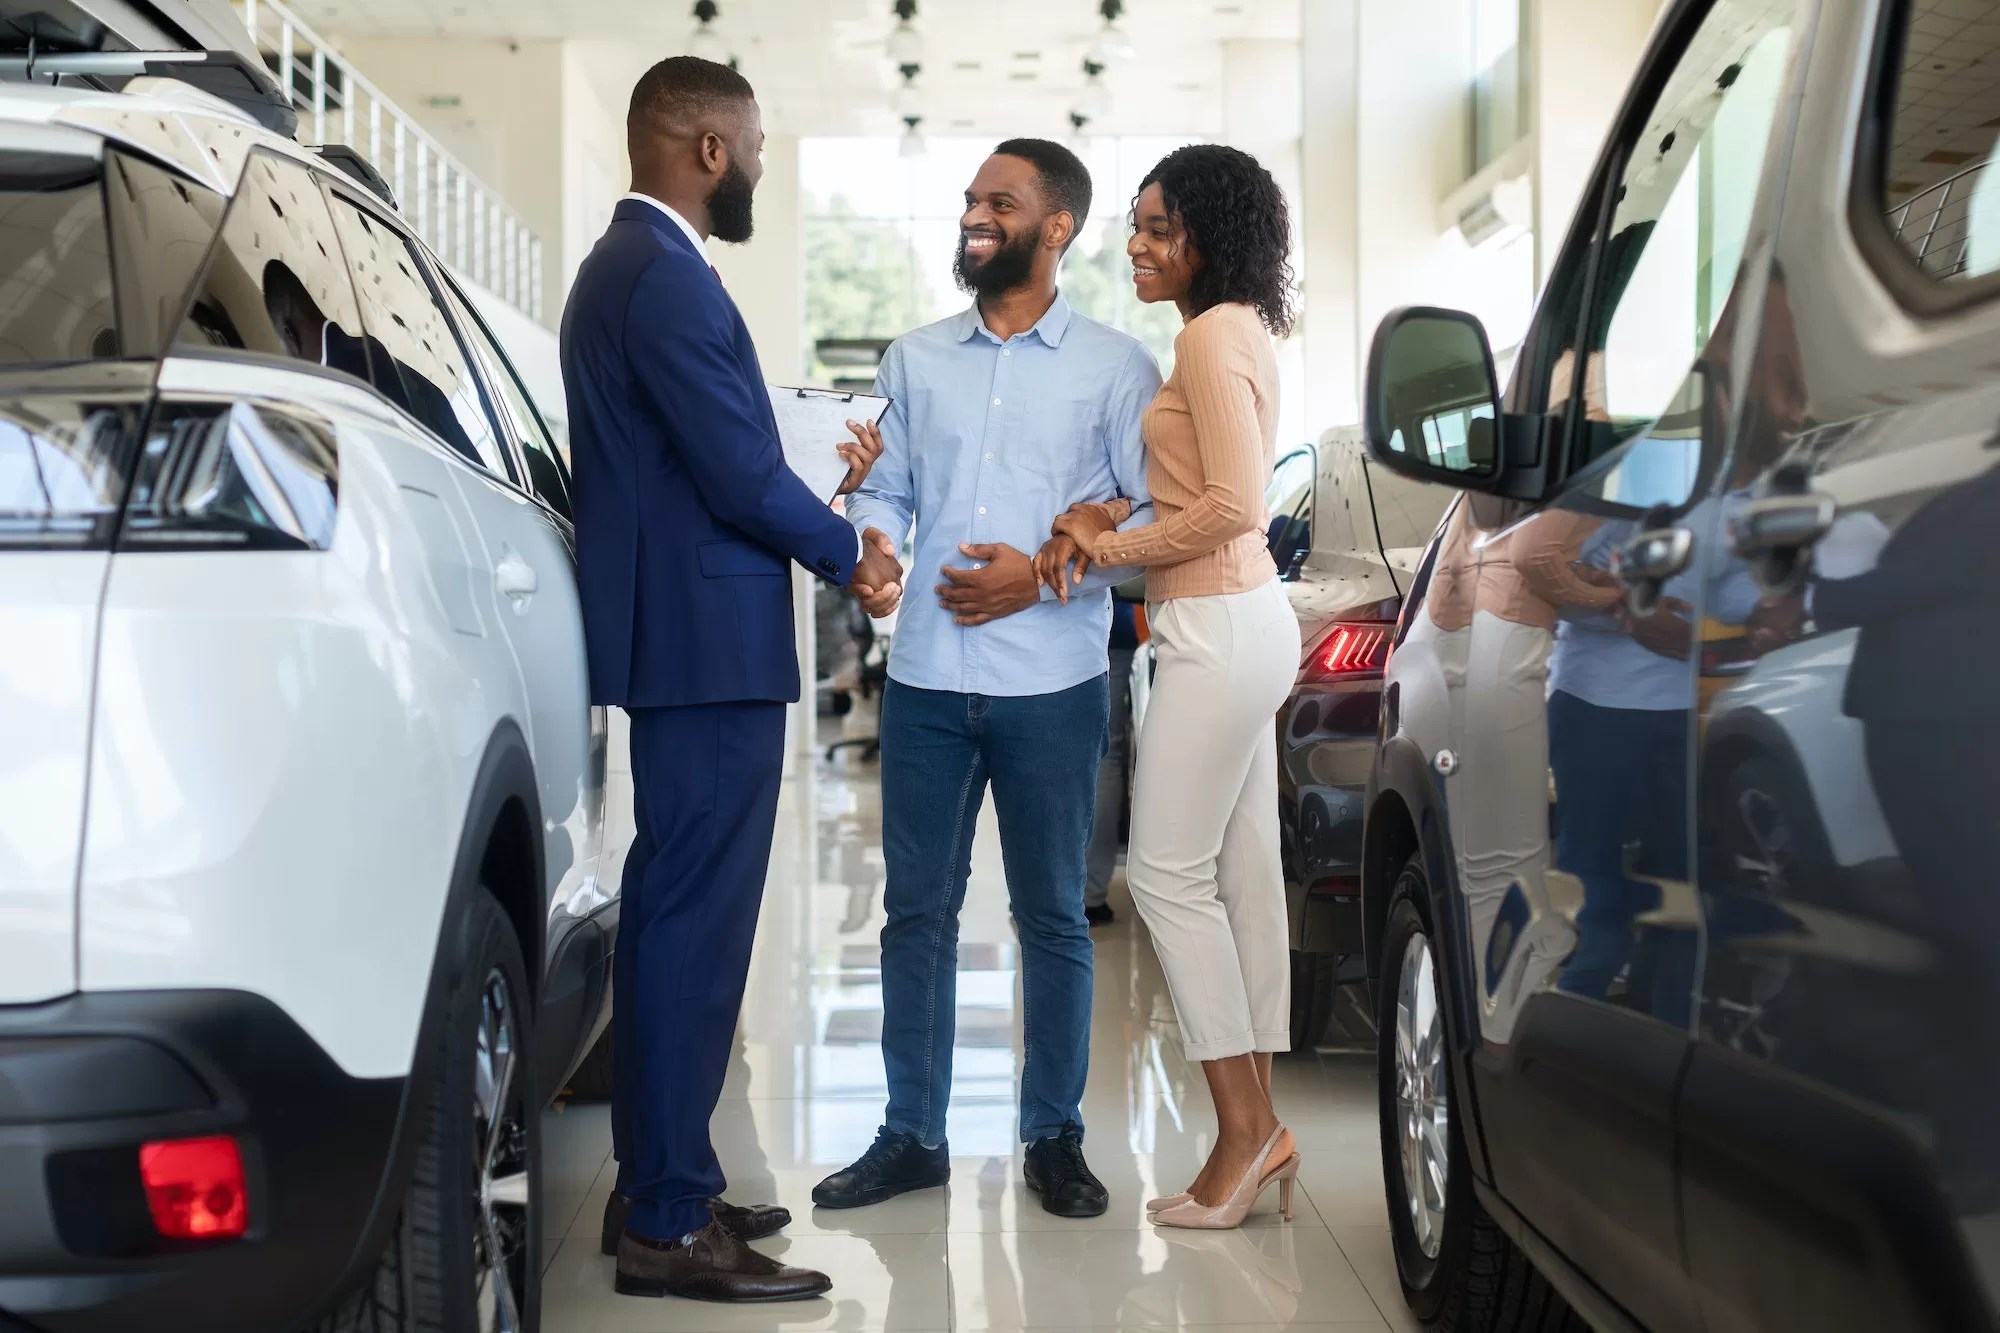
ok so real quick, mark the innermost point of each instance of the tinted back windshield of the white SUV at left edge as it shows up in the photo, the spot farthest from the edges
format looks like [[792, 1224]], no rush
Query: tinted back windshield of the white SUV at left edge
[[55, 269]]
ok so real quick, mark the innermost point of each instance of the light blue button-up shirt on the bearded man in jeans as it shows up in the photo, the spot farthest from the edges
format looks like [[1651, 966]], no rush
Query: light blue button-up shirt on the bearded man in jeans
[[989, 441]]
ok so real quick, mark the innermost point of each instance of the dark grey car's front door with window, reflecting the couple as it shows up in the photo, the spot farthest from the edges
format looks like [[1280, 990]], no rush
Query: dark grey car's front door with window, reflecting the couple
[[1569, 806]]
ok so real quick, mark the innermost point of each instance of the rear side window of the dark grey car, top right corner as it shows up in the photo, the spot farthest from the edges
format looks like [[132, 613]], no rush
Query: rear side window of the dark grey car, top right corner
[[1943, 201]]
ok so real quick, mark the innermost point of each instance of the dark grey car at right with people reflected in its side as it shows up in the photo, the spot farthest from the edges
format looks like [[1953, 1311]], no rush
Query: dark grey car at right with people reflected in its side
[[1681, 846]]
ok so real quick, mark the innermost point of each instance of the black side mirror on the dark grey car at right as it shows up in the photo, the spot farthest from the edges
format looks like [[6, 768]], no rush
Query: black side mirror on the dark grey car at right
[[1431, 407]]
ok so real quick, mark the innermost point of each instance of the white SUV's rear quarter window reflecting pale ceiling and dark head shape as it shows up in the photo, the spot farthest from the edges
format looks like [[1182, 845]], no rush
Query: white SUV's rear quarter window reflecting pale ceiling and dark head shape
[[275, 283]]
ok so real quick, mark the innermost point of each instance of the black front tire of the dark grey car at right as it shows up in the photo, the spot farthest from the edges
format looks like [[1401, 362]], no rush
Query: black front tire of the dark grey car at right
[[1477, 1282]]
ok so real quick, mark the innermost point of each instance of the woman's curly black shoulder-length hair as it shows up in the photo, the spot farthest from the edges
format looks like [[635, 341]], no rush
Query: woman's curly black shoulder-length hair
[[1237, 221]]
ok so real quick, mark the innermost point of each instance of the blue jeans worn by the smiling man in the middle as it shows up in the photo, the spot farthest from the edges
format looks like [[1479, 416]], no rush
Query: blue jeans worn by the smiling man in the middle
[[1041, 756]]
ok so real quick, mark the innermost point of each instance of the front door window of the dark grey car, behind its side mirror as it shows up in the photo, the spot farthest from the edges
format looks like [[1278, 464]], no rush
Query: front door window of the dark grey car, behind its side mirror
[[1679, 225]]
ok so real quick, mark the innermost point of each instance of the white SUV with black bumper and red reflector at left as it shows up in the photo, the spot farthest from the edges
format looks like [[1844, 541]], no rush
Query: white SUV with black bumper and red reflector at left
[[301, 792]]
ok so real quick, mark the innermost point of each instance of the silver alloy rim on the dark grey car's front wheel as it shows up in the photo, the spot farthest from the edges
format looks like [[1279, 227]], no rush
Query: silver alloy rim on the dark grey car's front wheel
[[1423, 1114]]
